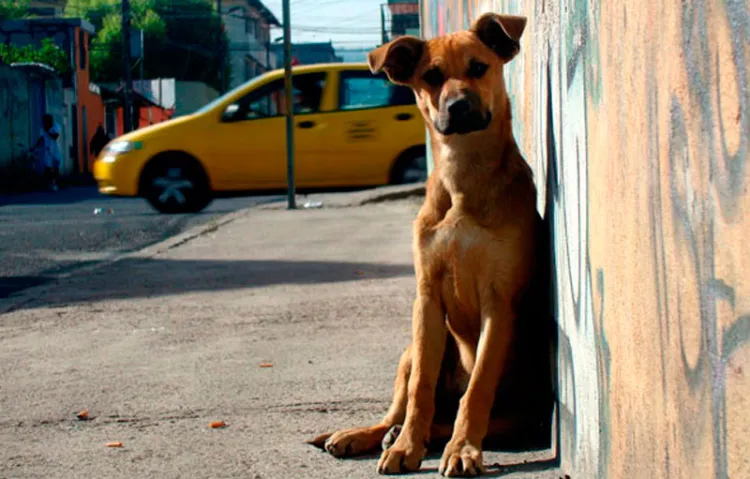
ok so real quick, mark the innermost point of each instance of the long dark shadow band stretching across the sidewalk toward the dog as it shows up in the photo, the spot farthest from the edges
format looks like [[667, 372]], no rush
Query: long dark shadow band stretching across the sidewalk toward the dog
[[146, 278]]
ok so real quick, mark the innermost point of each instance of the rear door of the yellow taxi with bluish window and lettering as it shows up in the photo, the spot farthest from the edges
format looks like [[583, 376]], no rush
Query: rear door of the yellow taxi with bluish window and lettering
[[375, 122]]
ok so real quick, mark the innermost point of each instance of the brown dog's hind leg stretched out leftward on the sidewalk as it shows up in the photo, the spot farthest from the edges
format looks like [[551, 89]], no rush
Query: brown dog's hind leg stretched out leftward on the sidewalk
[[363, 440]]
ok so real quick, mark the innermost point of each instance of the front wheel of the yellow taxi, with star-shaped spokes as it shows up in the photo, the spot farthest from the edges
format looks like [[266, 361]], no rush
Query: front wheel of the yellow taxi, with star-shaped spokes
[[176, 184]]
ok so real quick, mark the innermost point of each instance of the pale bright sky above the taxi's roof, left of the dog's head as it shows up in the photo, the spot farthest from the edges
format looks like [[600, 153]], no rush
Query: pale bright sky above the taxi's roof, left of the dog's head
[[348, 23]]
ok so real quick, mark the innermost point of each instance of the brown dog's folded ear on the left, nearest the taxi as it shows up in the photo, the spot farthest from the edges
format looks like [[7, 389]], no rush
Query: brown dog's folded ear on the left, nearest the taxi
[[398, 58]]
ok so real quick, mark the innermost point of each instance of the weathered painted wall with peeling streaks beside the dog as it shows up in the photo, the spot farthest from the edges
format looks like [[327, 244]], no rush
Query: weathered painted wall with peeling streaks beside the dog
[[636, 119]]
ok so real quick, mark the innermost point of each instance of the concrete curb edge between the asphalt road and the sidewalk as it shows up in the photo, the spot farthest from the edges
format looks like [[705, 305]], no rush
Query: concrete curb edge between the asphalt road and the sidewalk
[[27, 296]]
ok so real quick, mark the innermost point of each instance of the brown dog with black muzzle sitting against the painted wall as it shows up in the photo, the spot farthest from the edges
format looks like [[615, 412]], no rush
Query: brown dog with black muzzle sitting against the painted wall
[[479, 363]]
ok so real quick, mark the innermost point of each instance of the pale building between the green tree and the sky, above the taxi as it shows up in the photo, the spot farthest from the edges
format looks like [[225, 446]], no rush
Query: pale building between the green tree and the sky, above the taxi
[[248, 25]]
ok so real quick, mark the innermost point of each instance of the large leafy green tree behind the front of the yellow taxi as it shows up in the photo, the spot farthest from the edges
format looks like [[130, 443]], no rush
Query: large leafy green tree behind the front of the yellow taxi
[[180, 38]]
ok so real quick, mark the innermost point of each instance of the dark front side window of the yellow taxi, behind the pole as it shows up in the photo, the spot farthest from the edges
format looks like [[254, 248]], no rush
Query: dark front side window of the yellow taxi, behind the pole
[[269, 101]]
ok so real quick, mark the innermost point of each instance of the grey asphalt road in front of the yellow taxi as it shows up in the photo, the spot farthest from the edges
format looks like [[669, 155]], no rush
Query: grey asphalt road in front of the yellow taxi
[[43, 235]]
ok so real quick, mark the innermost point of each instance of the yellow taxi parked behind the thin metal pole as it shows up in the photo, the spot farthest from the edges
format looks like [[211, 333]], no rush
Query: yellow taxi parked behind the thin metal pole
[[351, 129]]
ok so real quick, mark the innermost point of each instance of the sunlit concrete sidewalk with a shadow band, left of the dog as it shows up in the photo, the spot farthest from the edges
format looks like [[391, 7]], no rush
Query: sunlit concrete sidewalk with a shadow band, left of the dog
[[159, 344]]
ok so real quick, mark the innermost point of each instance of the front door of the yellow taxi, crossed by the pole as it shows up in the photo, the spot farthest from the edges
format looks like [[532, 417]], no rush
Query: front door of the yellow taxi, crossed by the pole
[[250, 140]]
